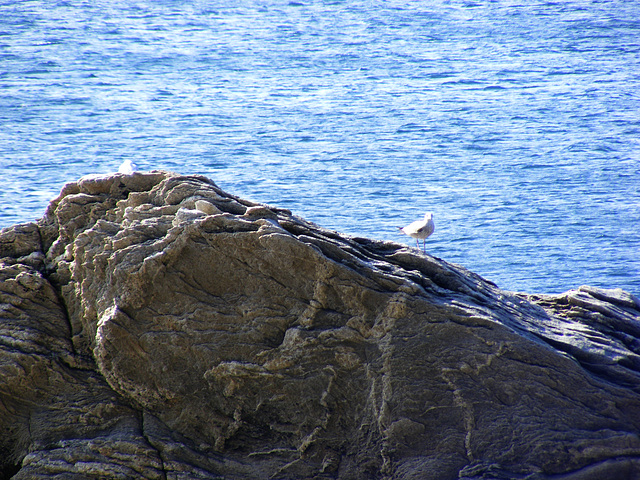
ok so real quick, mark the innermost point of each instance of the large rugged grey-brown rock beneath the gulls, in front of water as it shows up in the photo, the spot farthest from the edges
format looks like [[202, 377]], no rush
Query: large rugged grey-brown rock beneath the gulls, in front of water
[[154, 326]]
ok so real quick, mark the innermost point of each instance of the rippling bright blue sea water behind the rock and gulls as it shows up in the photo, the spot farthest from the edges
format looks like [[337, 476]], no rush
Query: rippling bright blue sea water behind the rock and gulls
[[516, 122]]
